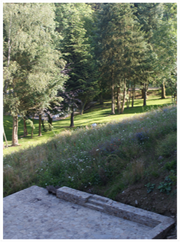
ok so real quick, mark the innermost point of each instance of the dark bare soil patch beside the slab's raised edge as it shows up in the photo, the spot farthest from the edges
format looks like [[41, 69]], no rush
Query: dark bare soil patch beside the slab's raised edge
[[155, 201]]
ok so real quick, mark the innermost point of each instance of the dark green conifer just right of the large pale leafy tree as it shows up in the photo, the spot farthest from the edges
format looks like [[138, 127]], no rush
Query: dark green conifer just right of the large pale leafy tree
[[75, 25]]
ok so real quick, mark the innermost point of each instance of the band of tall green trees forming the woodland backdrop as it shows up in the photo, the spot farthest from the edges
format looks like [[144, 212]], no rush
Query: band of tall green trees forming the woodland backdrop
[[59, 57]]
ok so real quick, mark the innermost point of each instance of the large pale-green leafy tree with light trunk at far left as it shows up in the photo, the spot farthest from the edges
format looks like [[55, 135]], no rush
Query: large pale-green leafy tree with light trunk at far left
[[32, 66]]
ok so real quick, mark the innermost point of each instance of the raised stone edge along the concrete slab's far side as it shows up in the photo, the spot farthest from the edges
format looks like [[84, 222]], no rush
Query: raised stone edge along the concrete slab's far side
[[160, 224]]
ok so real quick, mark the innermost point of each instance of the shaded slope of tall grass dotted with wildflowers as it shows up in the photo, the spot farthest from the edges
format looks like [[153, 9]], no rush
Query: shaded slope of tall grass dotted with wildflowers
[[87, 157]]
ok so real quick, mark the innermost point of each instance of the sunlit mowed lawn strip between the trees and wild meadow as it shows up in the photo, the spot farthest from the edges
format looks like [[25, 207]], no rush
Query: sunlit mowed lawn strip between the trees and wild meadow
[[97, 114]]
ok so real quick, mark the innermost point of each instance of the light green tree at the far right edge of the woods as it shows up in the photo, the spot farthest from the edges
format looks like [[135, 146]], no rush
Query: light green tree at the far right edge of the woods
[[165, 45]]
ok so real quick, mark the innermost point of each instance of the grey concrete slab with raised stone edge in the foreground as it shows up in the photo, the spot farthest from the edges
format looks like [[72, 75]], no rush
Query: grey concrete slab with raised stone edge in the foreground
[[34, 214]]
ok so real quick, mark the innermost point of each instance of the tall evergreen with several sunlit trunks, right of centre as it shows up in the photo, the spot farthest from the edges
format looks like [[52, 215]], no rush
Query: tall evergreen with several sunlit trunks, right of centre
[[120, 47]]
